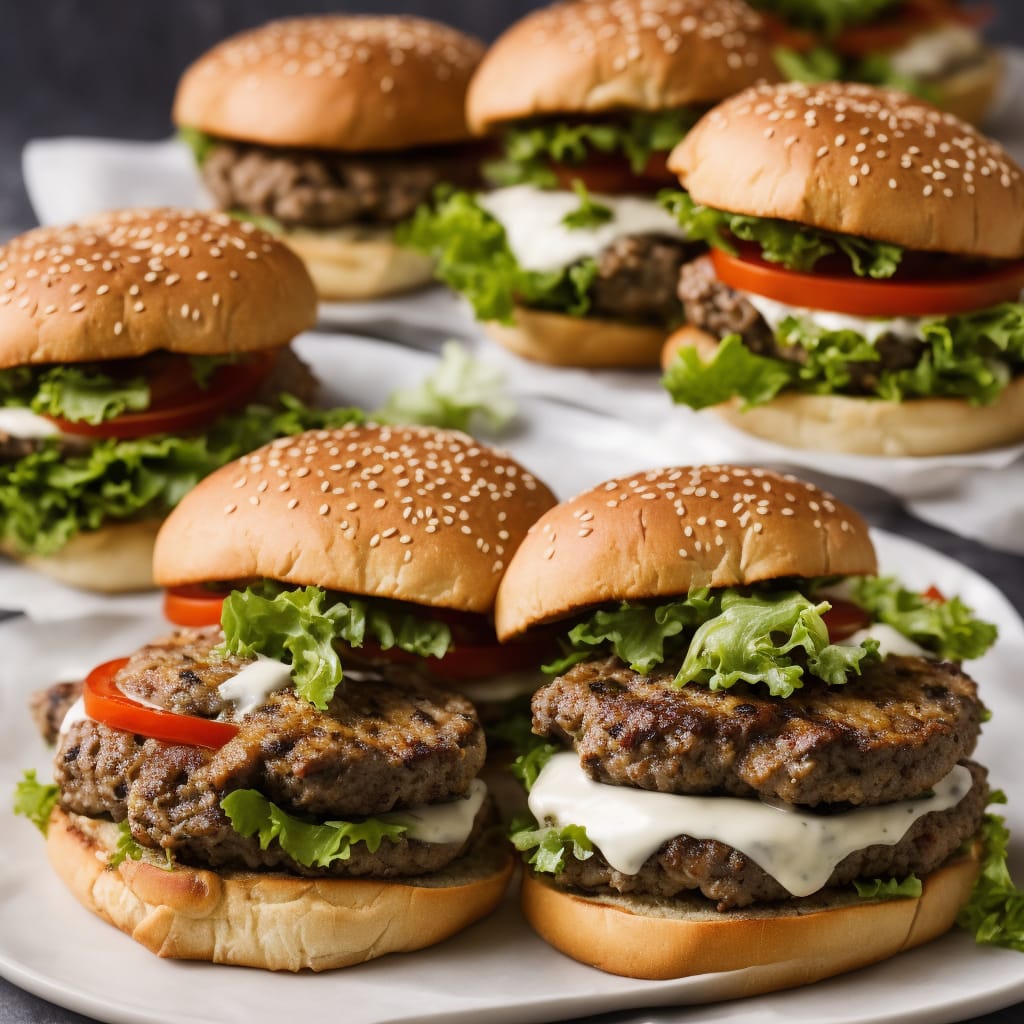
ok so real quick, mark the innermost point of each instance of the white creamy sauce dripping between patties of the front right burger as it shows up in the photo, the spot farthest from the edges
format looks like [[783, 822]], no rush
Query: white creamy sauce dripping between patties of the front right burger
[[797, 849]]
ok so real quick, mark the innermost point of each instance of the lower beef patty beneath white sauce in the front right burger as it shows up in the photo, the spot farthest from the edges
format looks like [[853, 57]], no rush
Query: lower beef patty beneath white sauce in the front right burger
[[733, 880]]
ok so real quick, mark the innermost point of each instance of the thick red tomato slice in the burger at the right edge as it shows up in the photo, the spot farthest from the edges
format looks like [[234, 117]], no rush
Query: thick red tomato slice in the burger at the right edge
[[862, 297]]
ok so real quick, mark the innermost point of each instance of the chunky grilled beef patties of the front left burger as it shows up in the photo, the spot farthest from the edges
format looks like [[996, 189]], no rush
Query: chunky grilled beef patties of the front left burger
[[383, 744]]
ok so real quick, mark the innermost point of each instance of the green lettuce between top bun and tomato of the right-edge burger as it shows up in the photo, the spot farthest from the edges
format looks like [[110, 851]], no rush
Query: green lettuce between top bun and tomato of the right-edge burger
[[795, 246]]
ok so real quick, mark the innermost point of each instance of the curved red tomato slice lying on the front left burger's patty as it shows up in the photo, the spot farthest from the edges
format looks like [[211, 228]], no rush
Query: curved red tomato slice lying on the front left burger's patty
[[106, 703]]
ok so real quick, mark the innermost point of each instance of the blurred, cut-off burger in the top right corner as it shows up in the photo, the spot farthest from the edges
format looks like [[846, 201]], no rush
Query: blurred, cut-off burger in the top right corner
[[932, 49]]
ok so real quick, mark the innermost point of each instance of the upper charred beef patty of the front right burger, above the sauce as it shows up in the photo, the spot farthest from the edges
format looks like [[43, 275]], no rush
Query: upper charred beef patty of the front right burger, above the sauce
[[886, 736]]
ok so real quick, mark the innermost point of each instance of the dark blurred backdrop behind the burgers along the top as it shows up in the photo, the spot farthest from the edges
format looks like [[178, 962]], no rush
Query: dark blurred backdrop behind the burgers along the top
[[109, 68]]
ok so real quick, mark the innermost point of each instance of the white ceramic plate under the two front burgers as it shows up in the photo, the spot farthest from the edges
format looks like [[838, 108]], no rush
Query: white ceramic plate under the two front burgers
[[498, 969]]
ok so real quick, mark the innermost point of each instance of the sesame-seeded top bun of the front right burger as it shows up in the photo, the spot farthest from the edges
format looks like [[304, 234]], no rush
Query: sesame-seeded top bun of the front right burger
[[663, 533]]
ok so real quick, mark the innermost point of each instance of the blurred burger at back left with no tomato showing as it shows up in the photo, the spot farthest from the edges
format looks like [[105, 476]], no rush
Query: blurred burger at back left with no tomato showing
[[329, 132]]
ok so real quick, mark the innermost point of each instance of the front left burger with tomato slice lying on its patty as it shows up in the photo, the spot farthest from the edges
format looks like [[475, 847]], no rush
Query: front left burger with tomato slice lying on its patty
[[294, 789]]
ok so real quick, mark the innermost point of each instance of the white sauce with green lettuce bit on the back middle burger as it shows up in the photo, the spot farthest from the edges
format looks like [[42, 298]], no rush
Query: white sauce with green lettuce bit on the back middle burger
[[533, 222]]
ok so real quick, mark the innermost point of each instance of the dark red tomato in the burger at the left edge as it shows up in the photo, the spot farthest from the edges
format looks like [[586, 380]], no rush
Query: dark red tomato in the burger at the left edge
[[180, 405]]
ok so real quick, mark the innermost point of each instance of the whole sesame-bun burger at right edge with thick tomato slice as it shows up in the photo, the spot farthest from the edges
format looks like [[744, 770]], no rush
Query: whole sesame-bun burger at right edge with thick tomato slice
[[863, 292]]
